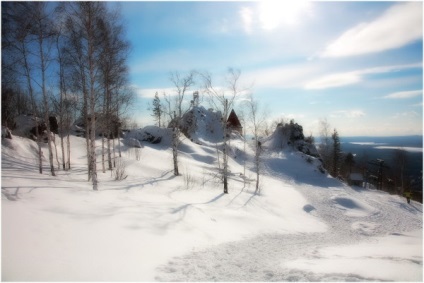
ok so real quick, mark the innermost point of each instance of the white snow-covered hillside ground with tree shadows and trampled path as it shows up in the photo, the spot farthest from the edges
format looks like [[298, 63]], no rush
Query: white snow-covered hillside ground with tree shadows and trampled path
[[154, 226]]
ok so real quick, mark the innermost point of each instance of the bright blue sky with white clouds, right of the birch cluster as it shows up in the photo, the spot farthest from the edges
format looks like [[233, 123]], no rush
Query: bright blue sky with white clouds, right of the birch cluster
[[357, 64]]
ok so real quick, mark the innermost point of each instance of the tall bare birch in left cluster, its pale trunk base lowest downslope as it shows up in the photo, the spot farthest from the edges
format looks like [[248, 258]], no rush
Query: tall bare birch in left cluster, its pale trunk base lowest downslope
[[85, 46]]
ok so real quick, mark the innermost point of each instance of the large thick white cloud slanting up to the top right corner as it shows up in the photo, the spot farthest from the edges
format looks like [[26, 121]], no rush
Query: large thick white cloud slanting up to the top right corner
[[399, 25]]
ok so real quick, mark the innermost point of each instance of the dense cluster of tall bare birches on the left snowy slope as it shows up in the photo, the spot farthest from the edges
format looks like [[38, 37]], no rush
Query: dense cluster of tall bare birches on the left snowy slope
[[69, 60]]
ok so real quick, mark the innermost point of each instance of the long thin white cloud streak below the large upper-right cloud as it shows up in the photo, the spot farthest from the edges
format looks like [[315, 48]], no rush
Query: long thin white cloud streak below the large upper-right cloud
[[353, 77]]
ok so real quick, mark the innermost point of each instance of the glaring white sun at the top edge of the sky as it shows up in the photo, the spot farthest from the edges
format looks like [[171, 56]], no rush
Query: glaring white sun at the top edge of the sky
[[273, 14]]
